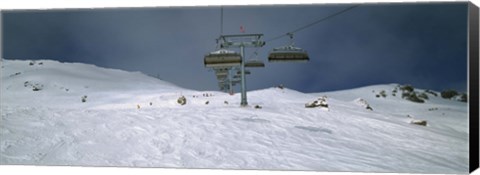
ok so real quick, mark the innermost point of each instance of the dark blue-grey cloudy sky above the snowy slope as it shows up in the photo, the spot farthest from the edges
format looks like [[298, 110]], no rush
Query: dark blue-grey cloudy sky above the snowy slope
[[420, 44]]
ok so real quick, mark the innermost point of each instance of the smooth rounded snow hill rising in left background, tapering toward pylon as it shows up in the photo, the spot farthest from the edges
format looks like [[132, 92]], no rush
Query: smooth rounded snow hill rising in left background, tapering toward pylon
[[48, 83]]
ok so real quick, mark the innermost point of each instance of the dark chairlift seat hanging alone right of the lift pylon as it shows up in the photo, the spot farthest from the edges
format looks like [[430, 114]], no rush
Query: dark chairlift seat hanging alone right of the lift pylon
[[288, 54]]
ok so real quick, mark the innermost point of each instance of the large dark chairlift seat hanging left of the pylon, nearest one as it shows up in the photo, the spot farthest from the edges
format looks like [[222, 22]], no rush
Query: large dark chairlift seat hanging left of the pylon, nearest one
[[222, 58]]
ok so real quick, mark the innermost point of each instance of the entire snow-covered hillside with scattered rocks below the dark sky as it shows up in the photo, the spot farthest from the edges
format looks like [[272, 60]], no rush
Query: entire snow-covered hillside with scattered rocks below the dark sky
[[130, 119]]
